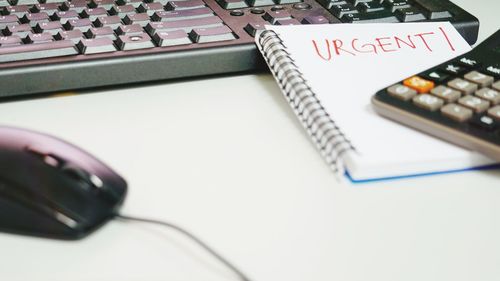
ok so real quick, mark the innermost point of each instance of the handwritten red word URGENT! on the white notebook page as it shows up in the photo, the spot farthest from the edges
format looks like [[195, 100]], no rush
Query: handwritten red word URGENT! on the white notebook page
[[329, 48]]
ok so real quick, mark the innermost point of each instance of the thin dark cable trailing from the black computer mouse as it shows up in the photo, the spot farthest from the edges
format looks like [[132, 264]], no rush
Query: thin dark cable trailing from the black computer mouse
[[233, 268]]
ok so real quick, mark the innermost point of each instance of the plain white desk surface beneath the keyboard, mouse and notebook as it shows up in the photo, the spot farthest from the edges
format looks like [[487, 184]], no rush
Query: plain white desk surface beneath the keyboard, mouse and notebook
[[226, 158]]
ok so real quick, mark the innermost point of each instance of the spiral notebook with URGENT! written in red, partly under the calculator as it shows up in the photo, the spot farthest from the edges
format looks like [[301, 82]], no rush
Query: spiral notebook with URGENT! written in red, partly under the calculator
[[328, 74]]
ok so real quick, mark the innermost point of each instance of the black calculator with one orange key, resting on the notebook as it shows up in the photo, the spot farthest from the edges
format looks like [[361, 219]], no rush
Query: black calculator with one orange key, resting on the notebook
[[458, 101]]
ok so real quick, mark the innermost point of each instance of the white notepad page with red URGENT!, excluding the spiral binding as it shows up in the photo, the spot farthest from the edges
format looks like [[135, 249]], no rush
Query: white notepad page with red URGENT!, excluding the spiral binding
[[346, 64]]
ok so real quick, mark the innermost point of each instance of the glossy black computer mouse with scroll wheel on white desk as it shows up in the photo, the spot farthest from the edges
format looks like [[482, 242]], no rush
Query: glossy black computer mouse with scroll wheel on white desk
[[51, 188]]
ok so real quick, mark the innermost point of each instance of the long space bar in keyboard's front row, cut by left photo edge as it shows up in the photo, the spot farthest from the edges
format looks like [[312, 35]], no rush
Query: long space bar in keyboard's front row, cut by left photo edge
[[37, 51]]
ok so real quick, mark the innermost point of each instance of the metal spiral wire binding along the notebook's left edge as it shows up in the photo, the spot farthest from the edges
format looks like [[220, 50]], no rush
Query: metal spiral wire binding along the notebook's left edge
[[327, 136]]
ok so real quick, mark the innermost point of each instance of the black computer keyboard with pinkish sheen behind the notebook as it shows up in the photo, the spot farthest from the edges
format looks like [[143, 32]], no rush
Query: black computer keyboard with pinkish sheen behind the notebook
[[58, 45]]
